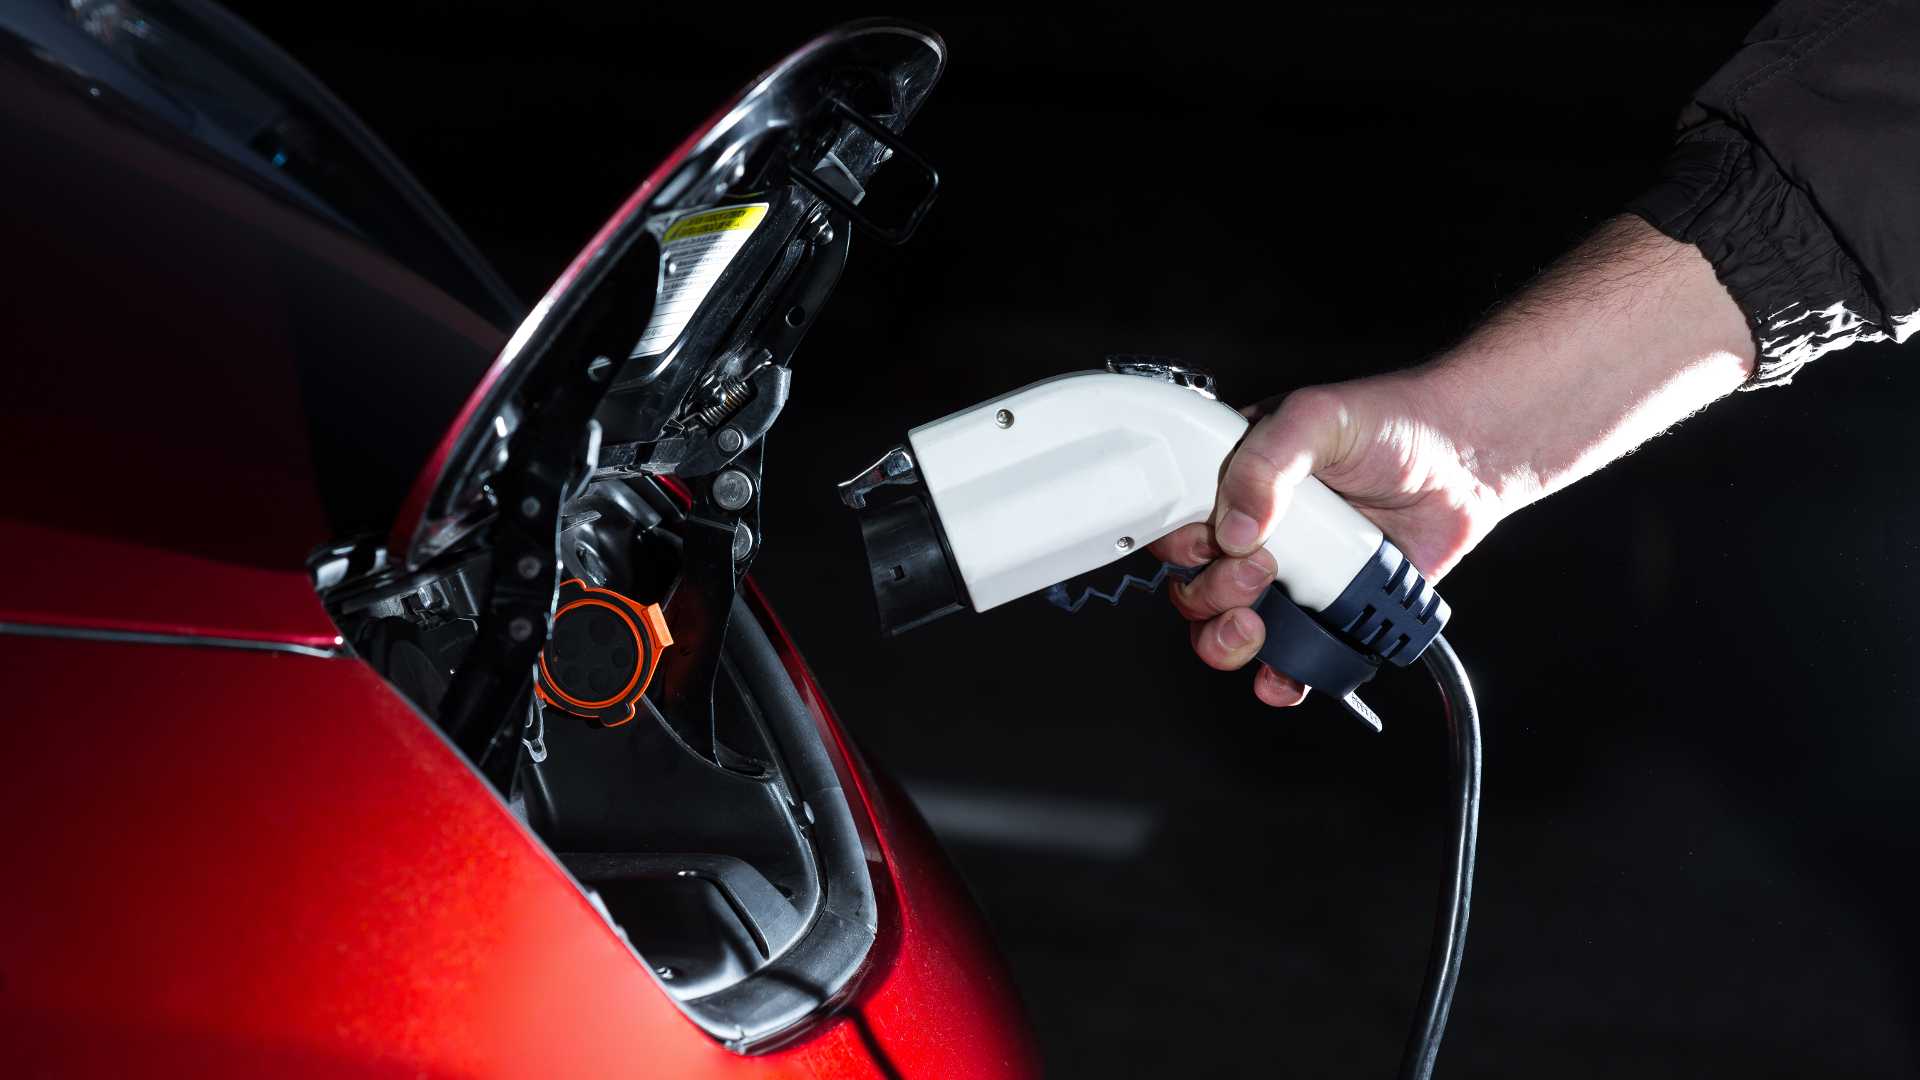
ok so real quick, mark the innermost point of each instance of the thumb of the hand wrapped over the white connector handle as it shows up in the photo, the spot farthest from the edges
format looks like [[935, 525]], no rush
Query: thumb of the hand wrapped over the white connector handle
[[1278, 453]]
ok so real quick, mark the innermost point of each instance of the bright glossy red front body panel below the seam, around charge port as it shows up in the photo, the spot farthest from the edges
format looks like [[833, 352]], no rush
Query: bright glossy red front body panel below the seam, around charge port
[[274, 866]]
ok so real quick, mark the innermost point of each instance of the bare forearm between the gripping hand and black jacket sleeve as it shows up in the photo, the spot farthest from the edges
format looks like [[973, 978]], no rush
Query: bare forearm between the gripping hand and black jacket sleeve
[[1620, 341]]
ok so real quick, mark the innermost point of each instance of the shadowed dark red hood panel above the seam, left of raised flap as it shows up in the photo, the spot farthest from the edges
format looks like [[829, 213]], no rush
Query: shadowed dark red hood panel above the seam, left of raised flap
[[178, 397]]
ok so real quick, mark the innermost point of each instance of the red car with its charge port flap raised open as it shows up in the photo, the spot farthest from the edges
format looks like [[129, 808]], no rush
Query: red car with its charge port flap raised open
[[393, 695]]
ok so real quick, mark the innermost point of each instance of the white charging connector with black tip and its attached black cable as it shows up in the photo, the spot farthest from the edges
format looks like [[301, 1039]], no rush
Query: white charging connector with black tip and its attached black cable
[[1067, 476]]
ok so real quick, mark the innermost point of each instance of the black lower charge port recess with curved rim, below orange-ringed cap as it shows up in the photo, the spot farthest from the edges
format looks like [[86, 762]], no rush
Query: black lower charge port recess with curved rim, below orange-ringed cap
[[748, 895]]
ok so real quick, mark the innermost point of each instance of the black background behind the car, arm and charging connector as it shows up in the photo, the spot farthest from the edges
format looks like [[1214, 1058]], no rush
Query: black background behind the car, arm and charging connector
[[1696, 668]]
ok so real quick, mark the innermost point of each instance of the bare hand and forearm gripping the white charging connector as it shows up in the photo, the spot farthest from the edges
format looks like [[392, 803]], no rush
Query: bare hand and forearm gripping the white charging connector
[[1620, 341]]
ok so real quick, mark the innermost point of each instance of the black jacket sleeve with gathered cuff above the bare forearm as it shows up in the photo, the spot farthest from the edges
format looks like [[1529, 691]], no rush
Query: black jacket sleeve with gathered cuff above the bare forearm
[[1798, 176]]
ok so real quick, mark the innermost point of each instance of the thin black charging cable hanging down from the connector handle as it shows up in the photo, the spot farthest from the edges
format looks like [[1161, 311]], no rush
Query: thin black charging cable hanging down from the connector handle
[[1456, 893]]
